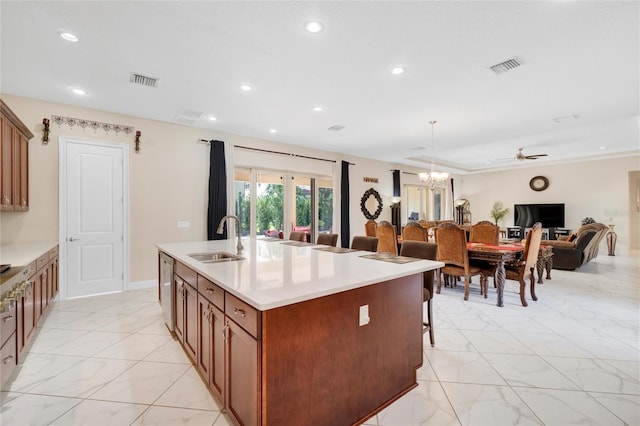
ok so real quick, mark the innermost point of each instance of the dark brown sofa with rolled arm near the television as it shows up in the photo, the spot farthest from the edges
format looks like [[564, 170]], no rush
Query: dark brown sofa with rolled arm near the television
[[579, 248]]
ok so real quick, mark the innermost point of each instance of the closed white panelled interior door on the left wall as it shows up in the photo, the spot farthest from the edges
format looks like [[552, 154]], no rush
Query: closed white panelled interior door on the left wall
[[95, 218]]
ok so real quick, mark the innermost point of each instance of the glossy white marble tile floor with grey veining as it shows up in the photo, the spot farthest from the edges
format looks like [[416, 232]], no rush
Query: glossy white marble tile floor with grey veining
[[572, 357]]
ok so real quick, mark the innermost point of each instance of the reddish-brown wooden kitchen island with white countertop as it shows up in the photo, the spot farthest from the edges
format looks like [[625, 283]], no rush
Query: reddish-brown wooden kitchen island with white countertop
[[299, 334]]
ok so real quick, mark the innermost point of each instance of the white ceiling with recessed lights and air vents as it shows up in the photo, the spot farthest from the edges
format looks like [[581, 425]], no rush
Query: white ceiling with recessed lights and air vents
[[579, 58]]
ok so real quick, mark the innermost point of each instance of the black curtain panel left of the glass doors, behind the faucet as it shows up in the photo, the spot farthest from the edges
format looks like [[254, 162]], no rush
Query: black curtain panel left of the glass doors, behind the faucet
[[217, 191]]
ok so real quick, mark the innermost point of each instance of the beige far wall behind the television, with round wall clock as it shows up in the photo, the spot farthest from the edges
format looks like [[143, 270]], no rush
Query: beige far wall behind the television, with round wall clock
[[598, 189]]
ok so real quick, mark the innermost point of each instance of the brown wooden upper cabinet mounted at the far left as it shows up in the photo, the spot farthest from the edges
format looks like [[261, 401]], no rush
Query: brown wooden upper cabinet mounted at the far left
[[14, 161]]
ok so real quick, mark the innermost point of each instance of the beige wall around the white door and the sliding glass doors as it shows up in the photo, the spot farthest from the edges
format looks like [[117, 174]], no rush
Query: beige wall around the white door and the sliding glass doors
[[168, 179]]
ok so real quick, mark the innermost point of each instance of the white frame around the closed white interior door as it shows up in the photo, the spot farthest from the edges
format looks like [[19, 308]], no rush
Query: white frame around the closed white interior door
[[62, 202]]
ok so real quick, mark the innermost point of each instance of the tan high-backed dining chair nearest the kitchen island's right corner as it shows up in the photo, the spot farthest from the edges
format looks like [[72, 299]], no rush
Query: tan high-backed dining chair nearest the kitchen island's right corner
[[452, 250]]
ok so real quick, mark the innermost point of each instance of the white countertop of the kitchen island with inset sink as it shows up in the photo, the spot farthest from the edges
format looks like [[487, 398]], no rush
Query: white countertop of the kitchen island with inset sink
[[275, 274]]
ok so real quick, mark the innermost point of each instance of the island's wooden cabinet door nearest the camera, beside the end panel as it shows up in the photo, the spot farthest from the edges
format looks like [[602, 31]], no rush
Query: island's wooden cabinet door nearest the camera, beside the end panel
[[243, 393]]
